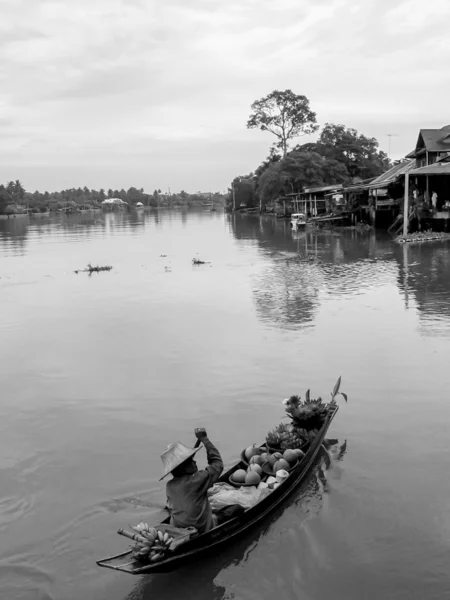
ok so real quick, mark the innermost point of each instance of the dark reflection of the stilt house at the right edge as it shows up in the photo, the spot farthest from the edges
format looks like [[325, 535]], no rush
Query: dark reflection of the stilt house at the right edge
[[424, 278]]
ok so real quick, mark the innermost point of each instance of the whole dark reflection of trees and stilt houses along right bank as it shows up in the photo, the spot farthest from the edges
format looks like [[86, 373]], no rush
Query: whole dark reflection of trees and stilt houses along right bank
[[304, 265]]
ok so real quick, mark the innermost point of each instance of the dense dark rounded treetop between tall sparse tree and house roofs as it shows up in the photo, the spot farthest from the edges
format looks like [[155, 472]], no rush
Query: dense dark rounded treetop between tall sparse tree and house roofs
[[360, 154]]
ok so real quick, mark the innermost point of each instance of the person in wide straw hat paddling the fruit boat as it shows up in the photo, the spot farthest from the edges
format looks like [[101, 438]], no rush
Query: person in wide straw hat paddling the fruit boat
[[187, 491]]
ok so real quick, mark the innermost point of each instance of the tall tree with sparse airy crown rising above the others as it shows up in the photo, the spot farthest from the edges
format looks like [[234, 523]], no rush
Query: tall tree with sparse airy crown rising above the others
[[285, 114]]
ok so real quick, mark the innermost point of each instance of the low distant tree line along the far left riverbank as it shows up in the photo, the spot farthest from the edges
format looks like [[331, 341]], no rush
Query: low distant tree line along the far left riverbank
[[14, 198]]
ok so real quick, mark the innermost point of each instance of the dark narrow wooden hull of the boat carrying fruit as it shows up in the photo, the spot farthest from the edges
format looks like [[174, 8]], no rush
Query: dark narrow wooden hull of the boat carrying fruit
[[213, 540]]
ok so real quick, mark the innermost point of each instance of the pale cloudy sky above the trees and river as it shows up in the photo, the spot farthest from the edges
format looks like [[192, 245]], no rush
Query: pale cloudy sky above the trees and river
[[157, 93]]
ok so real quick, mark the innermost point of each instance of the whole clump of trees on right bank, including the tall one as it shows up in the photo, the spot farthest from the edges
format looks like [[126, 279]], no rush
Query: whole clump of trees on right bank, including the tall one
[[340, 155]]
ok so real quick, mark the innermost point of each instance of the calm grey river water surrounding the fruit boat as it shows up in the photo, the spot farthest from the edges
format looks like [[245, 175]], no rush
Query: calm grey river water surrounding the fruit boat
[[98, 374]]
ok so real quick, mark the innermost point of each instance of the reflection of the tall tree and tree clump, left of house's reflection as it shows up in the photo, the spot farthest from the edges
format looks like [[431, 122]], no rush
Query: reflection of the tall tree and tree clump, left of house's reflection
[[303, 264]]
